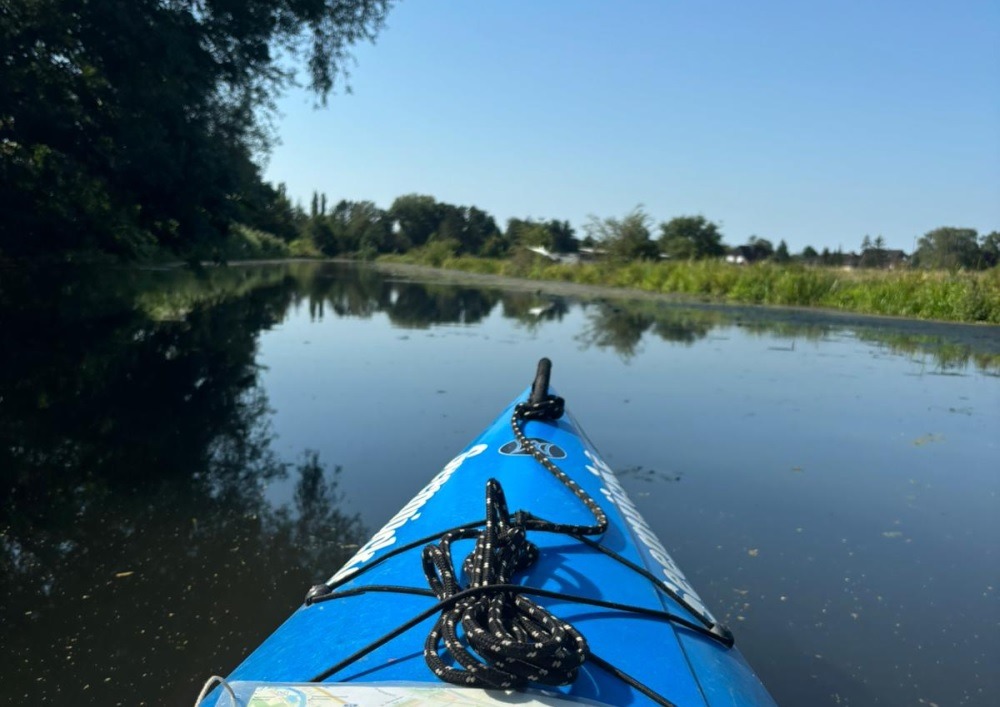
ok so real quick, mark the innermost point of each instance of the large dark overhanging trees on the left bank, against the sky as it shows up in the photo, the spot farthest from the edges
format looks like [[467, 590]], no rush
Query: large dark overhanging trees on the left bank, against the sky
[[131, 125]]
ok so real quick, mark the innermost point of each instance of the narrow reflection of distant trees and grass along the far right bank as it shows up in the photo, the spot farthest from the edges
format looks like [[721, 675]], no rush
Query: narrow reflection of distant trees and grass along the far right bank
[[620, 325]]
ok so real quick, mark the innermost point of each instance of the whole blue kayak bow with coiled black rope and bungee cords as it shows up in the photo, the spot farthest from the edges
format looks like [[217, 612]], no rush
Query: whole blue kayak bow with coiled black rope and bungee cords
[[522, 573]]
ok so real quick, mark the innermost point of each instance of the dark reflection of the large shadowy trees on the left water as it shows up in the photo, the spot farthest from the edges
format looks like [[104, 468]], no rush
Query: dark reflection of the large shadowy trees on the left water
[[135, 452]]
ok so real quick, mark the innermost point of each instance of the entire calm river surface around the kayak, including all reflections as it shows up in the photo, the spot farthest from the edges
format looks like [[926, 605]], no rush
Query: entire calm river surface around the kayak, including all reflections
[[182, 455]]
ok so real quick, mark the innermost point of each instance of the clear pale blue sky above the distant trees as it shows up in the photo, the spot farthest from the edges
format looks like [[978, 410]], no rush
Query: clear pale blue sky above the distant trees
[[813, 122]]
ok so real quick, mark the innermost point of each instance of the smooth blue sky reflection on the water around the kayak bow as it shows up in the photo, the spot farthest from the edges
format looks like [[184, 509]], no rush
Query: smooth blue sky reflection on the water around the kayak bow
[[835, 501]]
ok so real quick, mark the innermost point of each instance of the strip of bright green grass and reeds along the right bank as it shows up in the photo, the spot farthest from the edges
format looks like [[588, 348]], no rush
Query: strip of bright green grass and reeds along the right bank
[[959, 296]]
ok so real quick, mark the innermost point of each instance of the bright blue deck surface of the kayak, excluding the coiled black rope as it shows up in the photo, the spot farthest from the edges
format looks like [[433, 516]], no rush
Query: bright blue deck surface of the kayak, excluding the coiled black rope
[[678, 660]]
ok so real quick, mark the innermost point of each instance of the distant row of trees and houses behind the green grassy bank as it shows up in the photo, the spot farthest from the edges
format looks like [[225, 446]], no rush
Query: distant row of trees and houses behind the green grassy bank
[[439, 229]]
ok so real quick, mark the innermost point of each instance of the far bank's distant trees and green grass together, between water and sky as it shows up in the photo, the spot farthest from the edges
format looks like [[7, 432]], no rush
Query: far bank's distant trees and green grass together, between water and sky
[[952, 276]]
